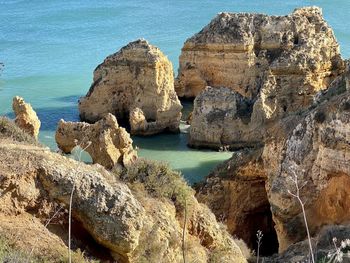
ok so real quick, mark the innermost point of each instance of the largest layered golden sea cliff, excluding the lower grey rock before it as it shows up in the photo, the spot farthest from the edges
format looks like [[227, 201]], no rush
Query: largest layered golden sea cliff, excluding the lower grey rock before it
[[286, 57]]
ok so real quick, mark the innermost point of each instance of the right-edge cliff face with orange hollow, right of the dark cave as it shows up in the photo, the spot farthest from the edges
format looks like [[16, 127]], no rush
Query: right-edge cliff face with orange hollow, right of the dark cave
[[317, 150]]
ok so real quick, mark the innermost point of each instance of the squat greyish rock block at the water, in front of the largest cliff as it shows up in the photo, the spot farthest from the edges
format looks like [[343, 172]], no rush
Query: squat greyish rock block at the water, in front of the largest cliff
[[223, 117]]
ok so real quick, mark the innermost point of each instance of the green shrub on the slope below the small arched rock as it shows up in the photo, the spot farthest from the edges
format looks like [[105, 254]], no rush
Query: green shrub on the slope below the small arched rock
[[158, 180]]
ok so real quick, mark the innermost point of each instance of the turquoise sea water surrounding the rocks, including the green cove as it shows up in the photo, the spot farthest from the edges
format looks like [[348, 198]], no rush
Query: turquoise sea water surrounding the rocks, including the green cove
[[50, 49]]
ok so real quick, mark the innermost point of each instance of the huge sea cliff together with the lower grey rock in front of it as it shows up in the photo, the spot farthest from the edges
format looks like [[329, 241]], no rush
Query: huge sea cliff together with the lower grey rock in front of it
[[264, 67]]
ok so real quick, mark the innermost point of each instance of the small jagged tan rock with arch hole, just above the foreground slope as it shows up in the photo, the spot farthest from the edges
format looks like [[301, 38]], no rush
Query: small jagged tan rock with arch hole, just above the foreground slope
[[106, 142]]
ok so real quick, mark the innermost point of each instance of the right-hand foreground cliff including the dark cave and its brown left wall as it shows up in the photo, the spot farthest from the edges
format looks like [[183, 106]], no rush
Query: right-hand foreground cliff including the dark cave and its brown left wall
[[312, 144]]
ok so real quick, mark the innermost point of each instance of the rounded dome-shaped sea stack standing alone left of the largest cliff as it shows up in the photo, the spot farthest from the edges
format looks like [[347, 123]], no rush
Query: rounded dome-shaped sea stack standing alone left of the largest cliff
[[138, 78]]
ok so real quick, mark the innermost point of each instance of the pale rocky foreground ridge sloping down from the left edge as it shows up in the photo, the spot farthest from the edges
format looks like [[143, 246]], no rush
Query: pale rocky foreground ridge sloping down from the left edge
[[131, 224]]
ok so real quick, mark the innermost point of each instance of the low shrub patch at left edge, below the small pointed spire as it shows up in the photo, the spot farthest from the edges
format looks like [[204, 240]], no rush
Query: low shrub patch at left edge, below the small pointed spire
[[8, 129]]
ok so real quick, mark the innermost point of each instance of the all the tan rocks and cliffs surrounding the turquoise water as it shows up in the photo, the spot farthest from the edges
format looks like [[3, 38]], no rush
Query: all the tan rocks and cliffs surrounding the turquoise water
[[273, 88]]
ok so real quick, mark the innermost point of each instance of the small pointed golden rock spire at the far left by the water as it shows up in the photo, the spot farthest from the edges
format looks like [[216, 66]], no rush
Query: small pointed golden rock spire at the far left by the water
[[26, 117]]
